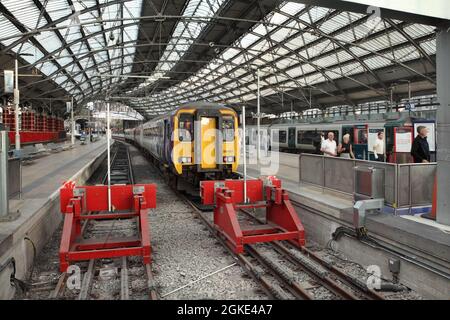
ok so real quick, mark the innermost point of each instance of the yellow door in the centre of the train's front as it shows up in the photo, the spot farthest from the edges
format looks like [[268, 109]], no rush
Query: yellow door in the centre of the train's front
[[208, 152]]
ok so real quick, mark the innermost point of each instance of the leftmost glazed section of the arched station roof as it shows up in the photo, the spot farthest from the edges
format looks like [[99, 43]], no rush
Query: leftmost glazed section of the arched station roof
[[65, 42]]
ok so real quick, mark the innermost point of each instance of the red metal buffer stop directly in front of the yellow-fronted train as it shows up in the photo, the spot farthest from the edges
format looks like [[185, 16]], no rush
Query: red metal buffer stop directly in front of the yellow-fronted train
[[282, 222]]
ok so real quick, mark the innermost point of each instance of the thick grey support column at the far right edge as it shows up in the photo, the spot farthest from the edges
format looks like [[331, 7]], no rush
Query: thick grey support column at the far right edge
[[443, 124]]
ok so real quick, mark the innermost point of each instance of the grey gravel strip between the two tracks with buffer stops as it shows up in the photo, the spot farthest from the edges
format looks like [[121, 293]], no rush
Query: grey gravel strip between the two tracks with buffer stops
[[184, 250]]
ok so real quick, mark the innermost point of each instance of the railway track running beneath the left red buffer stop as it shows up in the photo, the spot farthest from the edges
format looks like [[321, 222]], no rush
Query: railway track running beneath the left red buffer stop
[[111, 278]]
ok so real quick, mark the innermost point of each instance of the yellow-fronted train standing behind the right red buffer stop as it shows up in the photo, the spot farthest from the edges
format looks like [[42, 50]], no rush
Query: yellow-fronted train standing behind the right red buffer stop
[[198, 141]]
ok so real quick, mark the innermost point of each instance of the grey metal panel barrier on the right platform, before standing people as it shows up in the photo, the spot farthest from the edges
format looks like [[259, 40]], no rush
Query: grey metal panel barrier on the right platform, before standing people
[[406, 185]]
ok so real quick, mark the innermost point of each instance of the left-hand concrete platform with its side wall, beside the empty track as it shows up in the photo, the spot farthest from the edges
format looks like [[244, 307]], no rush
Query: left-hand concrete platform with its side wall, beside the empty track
[[39, 213]]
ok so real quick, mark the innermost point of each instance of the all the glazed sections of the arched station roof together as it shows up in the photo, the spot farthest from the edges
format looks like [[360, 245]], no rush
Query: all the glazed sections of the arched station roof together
[[296, 46]]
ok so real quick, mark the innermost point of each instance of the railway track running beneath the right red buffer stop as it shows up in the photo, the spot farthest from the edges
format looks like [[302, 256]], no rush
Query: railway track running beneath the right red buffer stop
[[279, 281]]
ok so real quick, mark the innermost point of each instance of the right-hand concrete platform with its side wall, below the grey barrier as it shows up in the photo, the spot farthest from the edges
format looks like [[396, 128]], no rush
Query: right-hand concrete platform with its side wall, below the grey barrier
[[423, 246]]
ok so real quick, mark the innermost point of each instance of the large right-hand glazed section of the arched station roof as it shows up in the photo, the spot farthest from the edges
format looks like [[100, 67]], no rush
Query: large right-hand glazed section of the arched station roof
[[300, 46]]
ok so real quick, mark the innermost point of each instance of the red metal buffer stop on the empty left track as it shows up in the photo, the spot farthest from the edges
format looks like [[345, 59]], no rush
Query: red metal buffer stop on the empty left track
[[78, 202]]
